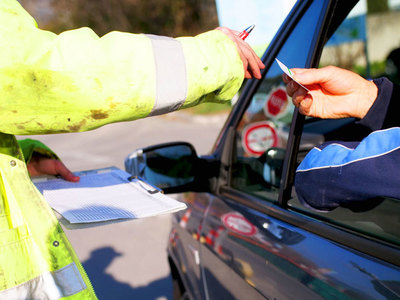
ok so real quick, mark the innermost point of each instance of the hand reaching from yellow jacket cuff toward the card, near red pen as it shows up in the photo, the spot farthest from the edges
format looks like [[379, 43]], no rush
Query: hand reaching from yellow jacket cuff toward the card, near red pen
[[251, 62]]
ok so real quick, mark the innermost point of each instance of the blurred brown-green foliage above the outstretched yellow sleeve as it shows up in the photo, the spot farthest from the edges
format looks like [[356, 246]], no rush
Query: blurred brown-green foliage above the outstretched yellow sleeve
[[163, 17]]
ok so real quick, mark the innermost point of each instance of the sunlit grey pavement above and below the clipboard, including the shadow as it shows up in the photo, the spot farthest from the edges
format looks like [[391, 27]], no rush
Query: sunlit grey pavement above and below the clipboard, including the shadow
[[128, 260]]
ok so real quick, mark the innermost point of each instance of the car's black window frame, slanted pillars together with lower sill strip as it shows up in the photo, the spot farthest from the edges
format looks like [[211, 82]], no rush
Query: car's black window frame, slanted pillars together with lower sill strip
[[366, 244]]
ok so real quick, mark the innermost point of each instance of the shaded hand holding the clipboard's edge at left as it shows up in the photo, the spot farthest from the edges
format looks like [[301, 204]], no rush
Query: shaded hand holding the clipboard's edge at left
[[42, 165]]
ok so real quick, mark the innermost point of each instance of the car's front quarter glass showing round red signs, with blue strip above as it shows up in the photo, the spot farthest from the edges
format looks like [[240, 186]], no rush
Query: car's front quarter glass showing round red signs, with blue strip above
[[263, 129]]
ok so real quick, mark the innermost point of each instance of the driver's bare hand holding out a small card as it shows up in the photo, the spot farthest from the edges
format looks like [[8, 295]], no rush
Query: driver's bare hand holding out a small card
[[334, 93]]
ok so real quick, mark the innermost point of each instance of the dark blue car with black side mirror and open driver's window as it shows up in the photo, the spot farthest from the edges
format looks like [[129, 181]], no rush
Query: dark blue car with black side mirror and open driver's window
[[244, 234]]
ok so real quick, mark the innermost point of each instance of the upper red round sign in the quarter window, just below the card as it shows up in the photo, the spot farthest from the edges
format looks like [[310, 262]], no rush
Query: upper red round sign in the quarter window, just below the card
[[277, 104]]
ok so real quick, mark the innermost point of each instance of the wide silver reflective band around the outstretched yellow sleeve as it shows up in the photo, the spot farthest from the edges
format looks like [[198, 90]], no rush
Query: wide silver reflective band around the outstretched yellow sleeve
[[171, 81]]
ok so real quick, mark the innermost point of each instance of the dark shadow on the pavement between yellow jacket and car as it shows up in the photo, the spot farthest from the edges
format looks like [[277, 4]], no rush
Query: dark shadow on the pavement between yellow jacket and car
[[107, 287]]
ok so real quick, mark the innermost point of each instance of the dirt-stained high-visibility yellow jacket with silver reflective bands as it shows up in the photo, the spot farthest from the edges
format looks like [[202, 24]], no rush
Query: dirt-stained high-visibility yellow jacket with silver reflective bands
[[76, 81]]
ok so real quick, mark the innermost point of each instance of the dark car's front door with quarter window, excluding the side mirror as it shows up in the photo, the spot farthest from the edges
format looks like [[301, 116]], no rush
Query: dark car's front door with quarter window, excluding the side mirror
[[253, 243]]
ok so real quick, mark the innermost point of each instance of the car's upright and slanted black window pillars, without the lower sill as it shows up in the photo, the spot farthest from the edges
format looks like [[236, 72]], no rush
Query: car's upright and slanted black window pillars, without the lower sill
[[224, 146]]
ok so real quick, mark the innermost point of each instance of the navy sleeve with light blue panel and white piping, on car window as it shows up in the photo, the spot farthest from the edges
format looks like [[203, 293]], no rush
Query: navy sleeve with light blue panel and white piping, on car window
[[349, 174]]
